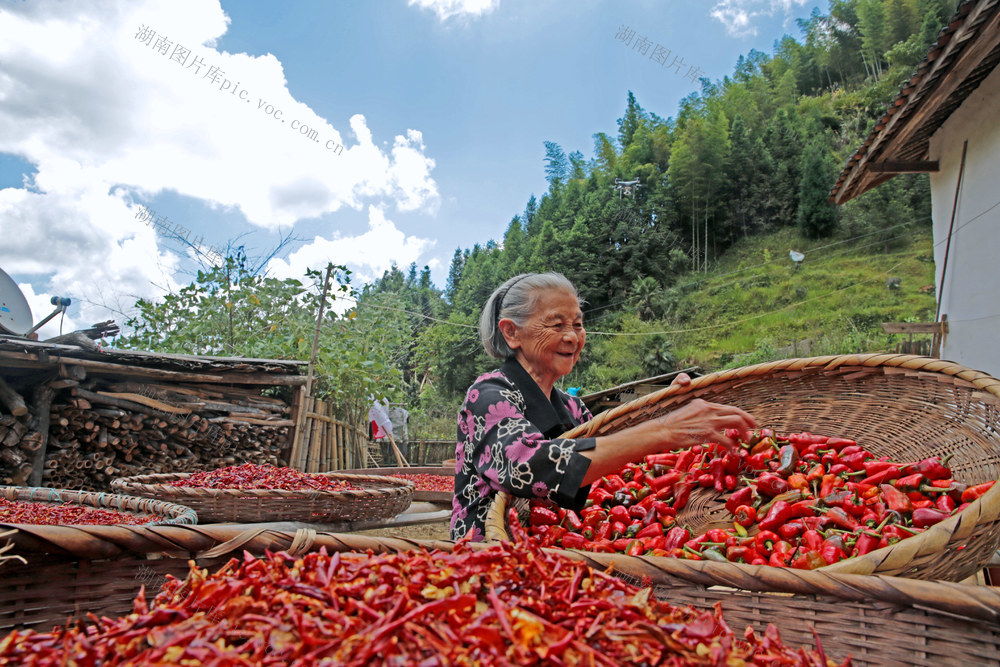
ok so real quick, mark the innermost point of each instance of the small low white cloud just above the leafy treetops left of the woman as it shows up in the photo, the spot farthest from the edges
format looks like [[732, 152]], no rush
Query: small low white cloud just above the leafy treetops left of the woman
[[368, 254]]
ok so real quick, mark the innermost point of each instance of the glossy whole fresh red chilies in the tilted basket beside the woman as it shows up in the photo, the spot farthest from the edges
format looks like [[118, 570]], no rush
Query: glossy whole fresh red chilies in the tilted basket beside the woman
[[798, 500]]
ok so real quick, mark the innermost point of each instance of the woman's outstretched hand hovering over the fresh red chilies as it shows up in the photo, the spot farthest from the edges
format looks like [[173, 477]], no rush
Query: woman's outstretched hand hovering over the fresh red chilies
[[700, 421]]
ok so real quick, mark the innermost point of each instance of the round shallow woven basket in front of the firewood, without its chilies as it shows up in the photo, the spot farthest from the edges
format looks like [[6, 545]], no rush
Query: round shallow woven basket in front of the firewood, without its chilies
[[376, 498]]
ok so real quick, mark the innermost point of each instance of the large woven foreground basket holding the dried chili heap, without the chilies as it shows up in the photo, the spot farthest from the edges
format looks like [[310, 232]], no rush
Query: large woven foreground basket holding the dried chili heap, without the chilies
[[879, 620]]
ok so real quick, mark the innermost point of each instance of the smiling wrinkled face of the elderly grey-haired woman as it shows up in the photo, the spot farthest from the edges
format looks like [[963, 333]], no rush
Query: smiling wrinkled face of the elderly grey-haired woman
[[549, 343]]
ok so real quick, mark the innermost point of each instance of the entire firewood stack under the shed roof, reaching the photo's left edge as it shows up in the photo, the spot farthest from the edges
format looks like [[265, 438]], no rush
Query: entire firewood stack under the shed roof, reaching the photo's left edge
[[100, 428]]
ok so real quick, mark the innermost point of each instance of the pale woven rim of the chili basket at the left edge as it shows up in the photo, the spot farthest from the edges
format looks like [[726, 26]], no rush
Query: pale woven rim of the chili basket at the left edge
[[173, 513]]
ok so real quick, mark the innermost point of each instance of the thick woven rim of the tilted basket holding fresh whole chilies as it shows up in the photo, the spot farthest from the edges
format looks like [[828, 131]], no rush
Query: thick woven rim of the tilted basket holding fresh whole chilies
[[962, 524]]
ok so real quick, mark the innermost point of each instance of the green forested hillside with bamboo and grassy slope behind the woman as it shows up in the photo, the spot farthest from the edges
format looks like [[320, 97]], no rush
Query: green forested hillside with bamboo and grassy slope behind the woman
[[694, 267]]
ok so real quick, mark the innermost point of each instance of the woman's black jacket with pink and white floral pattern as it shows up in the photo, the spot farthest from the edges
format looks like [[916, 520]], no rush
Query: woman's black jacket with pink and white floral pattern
[[507, 441]]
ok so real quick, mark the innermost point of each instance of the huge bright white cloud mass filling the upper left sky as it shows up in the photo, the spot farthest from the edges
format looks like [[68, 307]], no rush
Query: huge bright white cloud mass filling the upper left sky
[[107, 120]]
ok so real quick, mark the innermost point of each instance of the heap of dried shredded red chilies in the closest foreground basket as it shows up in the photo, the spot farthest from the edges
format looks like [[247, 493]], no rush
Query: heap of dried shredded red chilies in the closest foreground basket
[[506, 604]]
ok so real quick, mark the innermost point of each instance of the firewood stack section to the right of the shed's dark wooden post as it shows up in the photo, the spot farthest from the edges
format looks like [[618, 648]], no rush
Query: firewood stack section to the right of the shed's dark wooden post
[[129, 428]]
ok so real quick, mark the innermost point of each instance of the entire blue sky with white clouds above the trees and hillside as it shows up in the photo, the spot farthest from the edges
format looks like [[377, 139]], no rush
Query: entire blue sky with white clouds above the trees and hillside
[[441, 107]]
